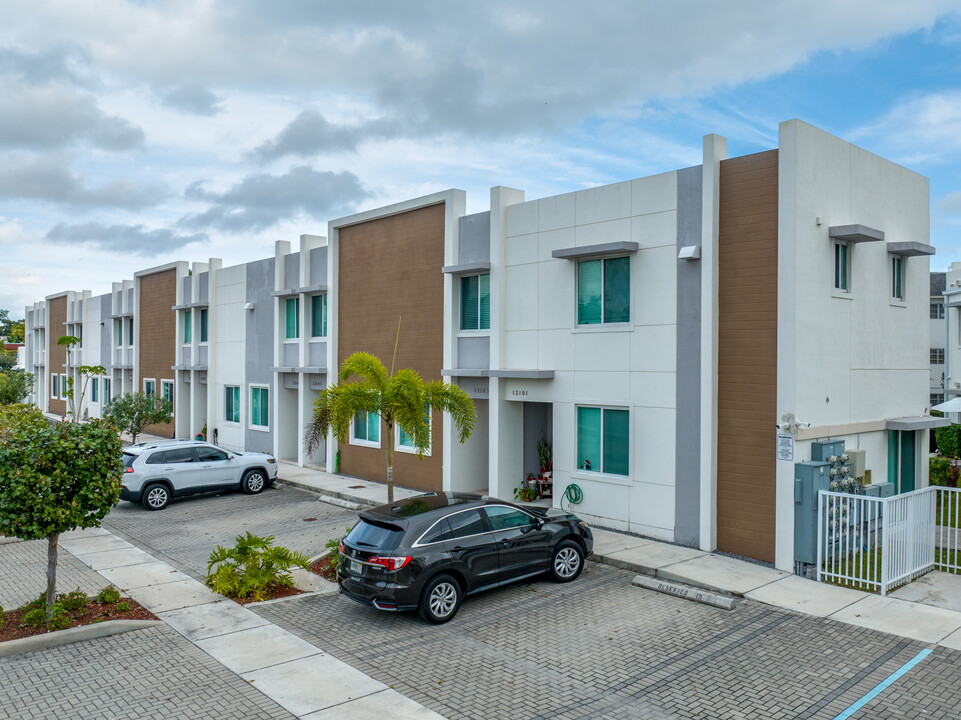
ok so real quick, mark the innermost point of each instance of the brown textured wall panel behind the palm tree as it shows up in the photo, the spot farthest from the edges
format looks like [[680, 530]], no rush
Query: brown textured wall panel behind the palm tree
[[390, 270]]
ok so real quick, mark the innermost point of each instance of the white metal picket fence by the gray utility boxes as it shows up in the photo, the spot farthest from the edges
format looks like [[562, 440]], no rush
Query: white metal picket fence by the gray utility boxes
[[878, 544]]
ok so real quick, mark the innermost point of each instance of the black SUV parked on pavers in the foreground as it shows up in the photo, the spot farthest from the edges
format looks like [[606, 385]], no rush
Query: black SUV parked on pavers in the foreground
[[429, 552]]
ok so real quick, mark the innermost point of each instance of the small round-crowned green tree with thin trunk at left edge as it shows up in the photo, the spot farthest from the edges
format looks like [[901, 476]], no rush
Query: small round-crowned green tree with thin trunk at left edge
[[55, 477]]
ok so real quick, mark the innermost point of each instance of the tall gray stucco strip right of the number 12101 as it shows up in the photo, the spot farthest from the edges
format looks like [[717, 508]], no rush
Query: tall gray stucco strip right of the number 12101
[[687, 485]]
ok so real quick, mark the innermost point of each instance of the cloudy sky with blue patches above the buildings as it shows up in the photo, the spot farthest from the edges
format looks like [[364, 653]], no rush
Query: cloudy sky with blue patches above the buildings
[[136, 132]]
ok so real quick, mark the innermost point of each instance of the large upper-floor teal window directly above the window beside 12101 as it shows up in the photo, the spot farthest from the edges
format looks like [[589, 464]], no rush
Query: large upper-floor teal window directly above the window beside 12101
[[604, 291]]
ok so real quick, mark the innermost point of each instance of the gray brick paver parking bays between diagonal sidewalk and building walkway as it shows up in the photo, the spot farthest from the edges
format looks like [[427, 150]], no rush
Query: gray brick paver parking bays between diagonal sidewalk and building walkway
[[595, 648]]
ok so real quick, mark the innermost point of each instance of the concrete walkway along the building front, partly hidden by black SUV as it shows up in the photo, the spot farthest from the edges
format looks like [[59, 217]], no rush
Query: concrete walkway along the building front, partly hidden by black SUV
[[915, 611]]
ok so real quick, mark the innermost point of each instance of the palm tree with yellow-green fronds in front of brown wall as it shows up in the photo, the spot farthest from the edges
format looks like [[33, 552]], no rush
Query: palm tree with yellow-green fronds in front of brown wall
[[402, 398]]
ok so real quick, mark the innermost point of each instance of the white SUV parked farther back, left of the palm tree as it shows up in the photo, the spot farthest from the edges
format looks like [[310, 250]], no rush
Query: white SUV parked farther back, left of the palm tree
[[156, 472]]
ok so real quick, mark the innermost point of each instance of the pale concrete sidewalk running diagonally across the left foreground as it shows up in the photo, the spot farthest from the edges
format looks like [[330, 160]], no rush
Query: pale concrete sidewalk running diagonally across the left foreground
[[292, 672]]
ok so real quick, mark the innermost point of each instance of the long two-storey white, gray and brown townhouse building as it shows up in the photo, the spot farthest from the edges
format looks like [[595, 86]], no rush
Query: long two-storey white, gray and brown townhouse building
[[682, 341]]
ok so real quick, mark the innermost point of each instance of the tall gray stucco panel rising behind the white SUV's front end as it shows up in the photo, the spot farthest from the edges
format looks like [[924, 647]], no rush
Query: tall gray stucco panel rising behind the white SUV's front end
[[260, 342]]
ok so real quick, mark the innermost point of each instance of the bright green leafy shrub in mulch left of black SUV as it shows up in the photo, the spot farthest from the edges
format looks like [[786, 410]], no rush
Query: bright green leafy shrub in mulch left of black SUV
[[251, 566]]
